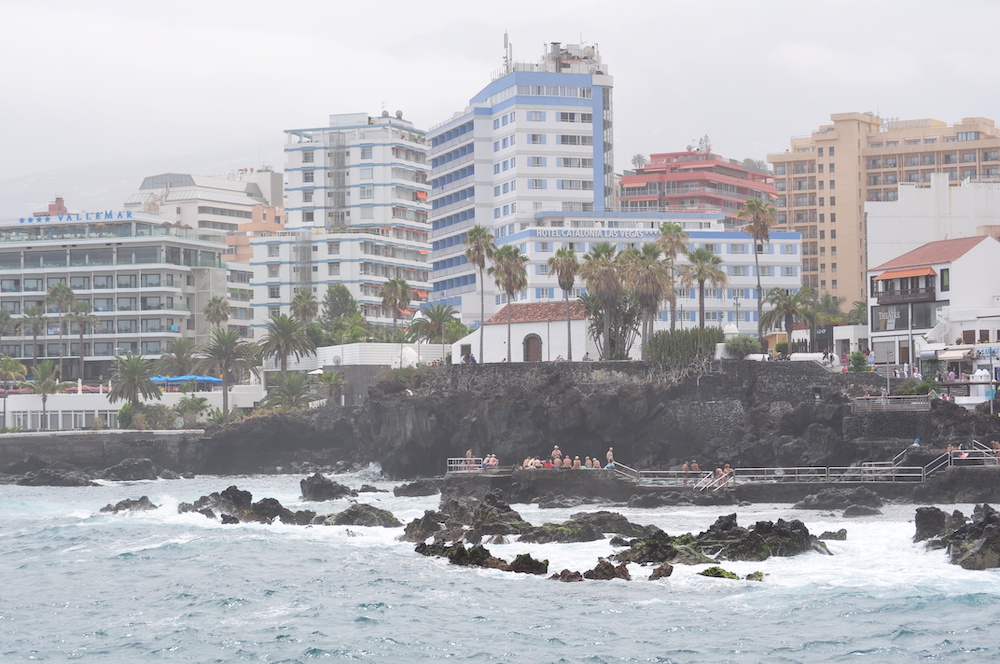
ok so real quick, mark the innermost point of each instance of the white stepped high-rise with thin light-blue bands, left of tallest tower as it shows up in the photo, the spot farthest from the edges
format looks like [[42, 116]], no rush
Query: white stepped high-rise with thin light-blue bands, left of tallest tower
[[356, 205]]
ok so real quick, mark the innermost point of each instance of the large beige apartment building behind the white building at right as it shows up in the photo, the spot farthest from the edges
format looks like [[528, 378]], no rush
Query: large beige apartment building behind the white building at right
[[824, 180]]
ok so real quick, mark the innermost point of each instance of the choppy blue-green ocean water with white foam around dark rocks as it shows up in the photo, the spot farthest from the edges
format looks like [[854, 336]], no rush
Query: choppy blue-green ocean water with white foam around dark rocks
[[77, 585]]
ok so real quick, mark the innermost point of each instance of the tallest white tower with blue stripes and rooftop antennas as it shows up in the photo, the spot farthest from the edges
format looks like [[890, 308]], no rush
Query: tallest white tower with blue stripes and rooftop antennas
[[537, 138]]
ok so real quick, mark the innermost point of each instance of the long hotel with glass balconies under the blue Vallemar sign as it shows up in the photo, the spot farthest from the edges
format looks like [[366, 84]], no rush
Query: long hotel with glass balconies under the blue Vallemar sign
[[146, 280]]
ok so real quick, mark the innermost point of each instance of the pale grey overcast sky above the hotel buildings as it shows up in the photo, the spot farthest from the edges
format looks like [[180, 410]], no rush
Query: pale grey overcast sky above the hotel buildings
[[99, 94]]
